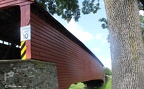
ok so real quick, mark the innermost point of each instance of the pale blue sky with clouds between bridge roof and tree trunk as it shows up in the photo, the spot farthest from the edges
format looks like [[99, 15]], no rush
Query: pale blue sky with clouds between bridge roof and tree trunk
[[88, 30]]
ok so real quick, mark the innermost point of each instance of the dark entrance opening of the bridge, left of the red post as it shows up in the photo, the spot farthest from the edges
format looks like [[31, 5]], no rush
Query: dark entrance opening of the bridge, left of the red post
[[10, 33]]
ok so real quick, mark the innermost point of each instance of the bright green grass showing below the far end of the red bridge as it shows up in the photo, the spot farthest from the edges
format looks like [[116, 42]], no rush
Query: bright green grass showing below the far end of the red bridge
[[81, 85]]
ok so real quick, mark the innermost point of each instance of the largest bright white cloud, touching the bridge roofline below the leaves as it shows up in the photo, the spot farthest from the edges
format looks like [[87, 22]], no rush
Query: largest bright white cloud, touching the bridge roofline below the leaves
[[78, 31]]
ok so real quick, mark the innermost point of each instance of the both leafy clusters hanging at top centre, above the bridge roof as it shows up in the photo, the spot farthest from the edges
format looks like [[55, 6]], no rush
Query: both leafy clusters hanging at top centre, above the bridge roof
[[69, 9]]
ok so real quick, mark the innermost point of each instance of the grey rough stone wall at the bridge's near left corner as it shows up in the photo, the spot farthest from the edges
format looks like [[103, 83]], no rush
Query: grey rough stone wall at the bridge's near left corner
[[30, 74]]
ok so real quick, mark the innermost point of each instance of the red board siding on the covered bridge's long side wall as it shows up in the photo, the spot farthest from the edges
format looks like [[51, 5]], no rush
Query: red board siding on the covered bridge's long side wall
[[74, 64]]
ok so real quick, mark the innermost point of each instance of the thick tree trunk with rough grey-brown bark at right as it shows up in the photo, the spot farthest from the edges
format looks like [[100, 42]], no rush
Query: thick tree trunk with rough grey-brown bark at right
[[127, 51]]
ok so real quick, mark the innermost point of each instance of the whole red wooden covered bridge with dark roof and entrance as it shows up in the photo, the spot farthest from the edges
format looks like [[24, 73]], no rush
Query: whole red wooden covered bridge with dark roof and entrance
[[49, 41]]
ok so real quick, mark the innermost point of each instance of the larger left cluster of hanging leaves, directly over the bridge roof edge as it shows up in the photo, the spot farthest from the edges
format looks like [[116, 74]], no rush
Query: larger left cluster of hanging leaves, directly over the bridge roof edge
[[64, 8]]
